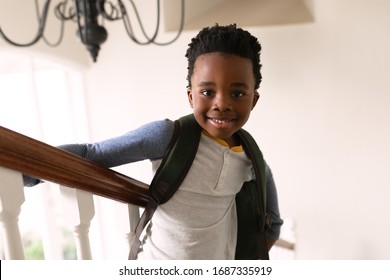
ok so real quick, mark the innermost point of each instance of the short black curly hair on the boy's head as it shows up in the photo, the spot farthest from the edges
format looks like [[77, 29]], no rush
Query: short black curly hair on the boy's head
[[225, 39]]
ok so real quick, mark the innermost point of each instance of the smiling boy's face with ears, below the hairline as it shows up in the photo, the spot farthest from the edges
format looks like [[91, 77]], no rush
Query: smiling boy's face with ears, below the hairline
[[222, 94]]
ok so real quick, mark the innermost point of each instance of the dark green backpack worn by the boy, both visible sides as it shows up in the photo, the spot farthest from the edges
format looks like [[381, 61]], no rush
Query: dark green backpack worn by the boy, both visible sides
[[250, 201]]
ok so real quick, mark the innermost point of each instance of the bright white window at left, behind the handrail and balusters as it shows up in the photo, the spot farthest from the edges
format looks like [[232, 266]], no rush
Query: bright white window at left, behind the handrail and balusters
[[45, 101]]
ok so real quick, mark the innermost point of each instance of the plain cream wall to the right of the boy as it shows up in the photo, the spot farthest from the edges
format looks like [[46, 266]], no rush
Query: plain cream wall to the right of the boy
[[324, 125]]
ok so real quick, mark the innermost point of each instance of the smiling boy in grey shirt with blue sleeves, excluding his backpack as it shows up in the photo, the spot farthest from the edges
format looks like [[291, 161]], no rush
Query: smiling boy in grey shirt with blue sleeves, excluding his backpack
[[199, 221]]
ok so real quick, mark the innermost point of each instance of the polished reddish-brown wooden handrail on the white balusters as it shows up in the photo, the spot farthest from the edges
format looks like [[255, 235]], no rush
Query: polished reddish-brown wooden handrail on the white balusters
[[39, 160]]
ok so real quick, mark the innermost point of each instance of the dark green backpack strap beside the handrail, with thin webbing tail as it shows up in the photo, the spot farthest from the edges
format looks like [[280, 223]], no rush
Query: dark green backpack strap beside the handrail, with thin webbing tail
[[171, 173]]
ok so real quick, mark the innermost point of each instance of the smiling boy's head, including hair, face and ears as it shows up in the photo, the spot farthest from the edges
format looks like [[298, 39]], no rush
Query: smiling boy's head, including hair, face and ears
[[223, 76]]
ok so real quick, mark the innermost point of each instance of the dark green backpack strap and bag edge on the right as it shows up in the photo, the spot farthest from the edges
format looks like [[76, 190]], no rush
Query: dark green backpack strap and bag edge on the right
[[251, 206]]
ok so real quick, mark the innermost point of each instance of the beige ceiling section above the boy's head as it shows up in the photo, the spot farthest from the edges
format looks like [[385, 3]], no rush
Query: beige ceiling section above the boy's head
[[201, 13]]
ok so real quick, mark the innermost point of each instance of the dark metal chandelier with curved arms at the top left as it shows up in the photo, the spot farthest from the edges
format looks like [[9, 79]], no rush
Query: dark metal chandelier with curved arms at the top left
[[87, 14]]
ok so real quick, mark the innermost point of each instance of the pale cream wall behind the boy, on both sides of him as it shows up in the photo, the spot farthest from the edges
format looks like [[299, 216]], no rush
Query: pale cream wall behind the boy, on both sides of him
[[322, 121]]
